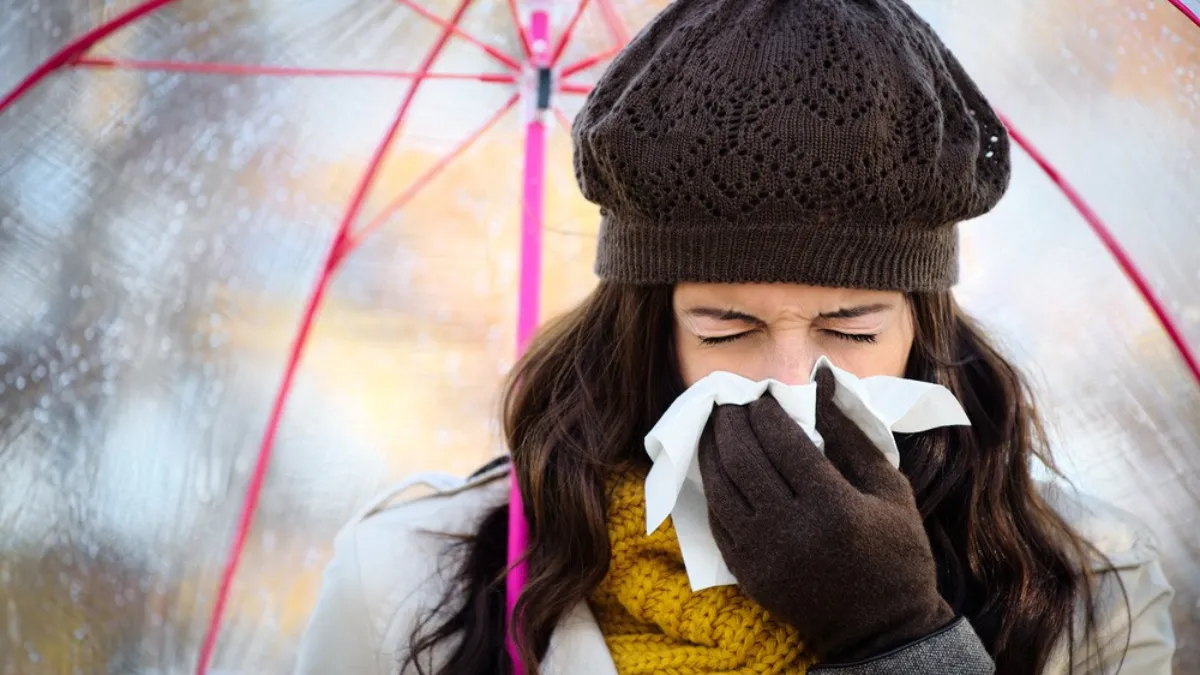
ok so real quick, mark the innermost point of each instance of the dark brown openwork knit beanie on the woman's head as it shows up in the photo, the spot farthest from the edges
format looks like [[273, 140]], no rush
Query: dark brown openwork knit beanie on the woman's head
[[825, 142]]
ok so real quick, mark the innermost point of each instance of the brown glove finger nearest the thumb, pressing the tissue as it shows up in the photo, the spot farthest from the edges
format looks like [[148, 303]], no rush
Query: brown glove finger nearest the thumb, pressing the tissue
[[796, 458]]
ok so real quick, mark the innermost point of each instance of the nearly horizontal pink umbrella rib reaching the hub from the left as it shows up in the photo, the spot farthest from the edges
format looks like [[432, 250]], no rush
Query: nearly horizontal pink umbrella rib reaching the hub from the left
[[281, 71]]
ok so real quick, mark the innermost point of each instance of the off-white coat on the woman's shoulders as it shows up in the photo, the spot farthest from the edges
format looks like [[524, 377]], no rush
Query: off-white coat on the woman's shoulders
[[387, 572]]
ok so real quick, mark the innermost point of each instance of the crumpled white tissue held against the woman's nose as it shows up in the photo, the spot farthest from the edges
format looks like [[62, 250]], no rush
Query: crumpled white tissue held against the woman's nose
[[880, 407]]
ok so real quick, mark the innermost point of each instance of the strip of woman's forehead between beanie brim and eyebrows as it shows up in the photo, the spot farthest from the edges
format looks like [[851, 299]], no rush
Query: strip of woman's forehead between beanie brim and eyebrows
[[771, 298]]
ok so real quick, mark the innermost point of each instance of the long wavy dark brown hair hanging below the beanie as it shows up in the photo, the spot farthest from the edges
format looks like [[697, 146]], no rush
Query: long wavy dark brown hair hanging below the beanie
[[578, 407]]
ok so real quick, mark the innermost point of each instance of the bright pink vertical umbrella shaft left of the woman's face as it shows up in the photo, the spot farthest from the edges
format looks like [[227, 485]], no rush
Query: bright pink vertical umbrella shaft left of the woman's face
[[527, 314]]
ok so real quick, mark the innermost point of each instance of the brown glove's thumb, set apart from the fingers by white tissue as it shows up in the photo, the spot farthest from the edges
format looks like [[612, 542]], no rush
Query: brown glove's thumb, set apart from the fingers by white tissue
[[851, 452]]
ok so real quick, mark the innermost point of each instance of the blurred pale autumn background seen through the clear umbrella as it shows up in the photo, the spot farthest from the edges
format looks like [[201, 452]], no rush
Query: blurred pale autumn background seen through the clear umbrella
[[160, 232]]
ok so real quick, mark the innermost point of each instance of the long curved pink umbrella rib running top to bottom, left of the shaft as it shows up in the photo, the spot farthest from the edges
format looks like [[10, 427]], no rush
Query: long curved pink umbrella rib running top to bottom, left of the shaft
[[302, 338]]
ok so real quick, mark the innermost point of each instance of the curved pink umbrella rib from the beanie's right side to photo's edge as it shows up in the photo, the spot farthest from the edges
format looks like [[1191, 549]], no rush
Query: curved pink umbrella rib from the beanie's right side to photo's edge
[[1111, 242]]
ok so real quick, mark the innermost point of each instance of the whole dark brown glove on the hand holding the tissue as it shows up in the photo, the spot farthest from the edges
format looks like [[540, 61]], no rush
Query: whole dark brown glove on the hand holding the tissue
[[832, 543]]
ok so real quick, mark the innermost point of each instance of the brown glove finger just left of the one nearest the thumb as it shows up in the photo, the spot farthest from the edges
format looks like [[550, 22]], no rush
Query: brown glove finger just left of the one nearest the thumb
[[745, 462]]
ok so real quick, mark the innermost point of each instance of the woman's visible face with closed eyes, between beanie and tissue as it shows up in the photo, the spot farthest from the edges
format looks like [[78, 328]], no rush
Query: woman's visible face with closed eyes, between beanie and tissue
[[778, 331]]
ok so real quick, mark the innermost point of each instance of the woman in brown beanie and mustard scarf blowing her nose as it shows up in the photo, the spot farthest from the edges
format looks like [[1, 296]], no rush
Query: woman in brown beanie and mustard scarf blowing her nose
[[779, 181]]
